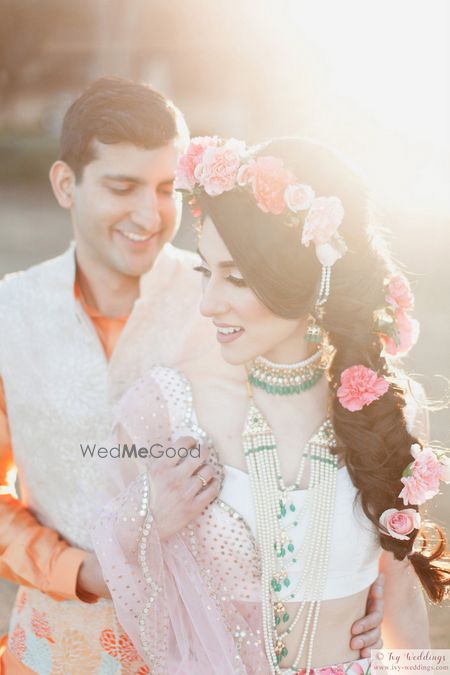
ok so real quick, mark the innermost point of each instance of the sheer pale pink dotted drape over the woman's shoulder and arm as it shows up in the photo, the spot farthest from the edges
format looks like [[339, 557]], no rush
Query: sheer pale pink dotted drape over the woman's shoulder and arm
[[190, 603]]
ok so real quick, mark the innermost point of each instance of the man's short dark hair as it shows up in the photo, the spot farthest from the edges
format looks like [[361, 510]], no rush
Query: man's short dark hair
[[116, 110]]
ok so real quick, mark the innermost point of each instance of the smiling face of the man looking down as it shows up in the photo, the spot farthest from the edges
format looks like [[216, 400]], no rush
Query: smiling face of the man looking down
[[124, 207]]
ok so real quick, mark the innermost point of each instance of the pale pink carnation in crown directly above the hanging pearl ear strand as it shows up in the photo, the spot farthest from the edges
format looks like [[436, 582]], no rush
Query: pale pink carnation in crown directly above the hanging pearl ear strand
[[323, 220]]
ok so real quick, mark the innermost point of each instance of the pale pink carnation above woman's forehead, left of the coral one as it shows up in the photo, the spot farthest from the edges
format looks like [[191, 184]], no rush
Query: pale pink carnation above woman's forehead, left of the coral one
[[217, 171]]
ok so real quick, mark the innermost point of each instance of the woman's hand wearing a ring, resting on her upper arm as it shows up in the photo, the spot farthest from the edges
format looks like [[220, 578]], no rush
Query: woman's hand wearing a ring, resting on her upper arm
[[177, 494]]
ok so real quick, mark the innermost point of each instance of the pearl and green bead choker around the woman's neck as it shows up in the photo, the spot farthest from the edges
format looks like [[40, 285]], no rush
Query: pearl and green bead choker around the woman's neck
[[285, 379]]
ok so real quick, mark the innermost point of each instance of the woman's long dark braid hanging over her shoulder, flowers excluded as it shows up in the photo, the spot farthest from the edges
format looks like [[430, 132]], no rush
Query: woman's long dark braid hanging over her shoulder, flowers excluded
[[376, 441]]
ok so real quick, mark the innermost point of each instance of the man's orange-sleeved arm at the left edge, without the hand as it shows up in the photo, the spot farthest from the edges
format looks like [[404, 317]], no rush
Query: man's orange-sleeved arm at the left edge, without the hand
[[31, 554]]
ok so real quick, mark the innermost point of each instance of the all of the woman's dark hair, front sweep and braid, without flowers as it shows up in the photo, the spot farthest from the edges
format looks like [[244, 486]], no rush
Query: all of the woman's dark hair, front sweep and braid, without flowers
[[375, 442]]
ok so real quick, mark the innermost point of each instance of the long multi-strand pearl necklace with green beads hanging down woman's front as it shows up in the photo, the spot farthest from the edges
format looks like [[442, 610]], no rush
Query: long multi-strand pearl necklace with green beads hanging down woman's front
[[272, 501]]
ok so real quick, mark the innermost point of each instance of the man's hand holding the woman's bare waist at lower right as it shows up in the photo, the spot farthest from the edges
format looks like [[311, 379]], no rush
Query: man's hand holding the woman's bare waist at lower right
[[368, 629]]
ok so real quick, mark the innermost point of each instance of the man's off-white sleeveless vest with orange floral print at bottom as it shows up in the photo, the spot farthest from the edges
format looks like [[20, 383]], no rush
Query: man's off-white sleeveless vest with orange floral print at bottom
[[60, 389]]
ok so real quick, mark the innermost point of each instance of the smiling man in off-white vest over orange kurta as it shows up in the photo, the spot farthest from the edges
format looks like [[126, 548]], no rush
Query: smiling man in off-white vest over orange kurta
[[78, 331]]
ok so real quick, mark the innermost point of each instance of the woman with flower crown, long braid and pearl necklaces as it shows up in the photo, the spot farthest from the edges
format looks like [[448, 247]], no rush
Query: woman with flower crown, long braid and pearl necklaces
[[312, 440]]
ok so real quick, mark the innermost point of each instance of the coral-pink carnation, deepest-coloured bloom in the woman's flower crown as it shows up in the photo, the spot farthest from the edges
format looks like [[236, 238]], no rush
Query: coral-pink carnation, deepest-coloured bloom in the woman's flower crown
[[269, 180]]
